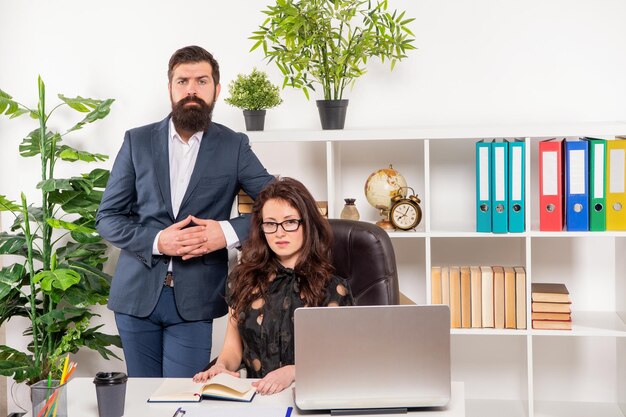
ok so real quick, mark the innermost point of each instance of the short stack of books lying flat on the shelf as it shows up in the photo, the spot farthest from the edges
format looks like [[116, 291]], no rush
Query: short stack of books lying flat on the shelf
[[551, 306]]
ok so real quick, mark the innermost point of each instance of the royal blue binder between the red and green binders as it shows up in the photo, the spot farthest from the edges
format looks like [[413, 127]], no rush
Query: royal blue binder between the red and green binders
[[577, 185]]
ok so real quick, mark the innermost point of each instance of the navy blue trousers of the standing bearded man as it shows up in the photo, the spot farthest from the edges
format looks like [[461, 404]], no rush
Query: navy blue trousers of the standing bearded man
[[164, 344]]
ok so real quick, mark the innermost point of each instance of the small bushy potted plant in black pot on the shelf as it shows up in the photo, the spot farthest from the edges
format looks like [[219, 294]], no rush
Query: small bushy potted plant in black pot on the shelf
[[254, 93]]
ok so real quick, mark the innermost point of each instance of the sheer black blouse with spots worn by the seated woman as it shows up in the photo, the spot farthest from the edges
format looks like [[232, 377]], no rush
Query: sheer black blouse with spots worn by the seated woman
[[267, 326]]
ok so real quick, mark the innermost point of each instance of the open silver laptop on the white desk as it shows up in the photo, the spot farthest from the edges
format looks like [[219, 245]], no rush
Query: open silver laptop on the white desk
[[390, 357]]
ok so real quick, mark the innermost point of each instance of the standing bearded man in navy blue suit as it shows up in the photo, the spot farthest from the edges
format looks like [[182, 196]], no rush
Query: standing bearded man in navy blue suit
[[167, 206]]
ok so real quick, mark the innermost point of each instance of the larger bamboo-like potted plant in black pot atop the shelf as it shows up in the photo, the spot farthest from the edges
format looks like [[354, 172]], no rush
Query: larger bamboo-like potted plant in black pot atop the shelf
[[329, 42]]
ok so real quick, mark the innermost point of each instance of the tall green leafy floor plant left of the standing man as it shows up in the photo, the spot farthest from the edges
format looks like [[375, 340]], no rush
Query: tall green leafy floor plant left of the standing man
[[59, 273]]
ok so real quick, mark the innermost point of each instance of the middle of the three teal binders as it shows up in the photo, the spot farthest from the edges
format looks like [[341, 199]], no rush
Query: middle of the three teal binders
[[499, 185]]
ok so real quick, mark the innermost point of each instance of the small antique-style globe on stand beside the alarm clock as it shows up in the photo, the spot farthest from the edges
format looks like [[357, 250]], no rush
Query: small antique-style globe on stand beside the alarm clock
[[380, 187]]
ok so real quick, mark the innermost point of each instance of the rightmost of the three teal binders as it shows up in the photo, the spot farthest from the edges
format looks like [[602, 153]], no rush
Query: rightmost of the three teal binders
[[517, 186]]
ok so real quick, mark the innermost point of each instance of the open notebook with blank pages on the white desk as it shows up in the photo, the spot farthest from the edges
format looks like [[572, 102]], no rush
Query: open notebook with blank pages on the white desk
[[221, 386]]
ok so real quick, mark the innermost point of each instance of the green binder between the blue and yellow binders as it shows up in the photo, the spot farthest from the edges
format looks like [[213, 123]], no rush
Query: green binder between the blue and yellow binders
[[597, 184]]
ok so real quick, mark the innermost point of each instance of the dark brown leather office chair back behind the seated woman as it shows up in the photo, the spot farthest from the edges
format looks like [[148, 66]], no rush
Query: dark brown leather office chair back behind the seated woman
[[363, 254]]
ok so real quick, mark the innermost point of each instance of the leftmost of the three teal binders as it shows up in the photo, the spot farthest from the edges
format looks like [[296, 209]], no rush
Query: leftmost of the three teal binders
[[483, 186]]
